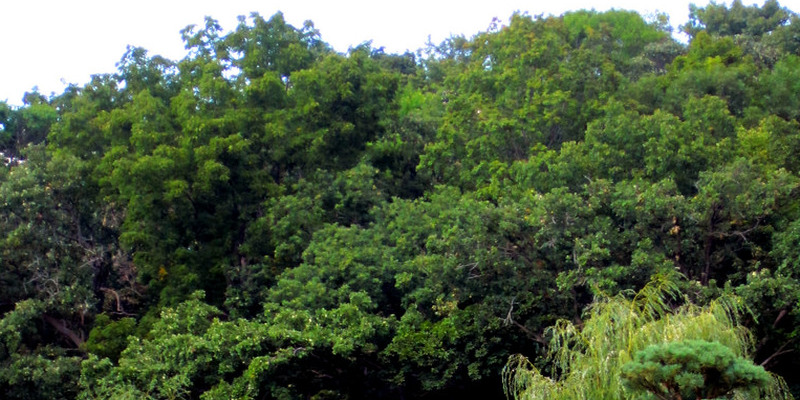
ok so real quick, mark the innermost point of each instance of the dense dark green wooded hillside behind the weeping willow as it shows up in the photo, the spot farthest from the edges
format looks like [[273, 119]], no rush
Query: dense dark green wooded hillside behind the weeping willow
[[268, 218]]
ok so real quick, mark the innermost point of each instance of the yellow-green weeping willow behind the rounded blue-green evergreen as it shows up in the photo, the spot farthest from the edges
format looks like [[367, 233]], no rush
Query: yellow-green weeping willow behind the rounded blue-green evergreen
[[588, 360]]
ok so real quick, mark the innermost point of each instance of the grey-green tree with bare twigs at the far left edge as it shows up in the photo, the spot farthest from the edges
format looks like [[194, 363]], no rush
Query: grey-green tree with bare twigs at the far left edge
[[55, 263]]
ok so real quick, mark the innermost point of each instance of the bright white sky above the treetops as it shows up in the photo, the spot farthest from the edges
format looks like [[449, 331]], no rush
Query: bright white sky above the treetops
[[48, 43]]
